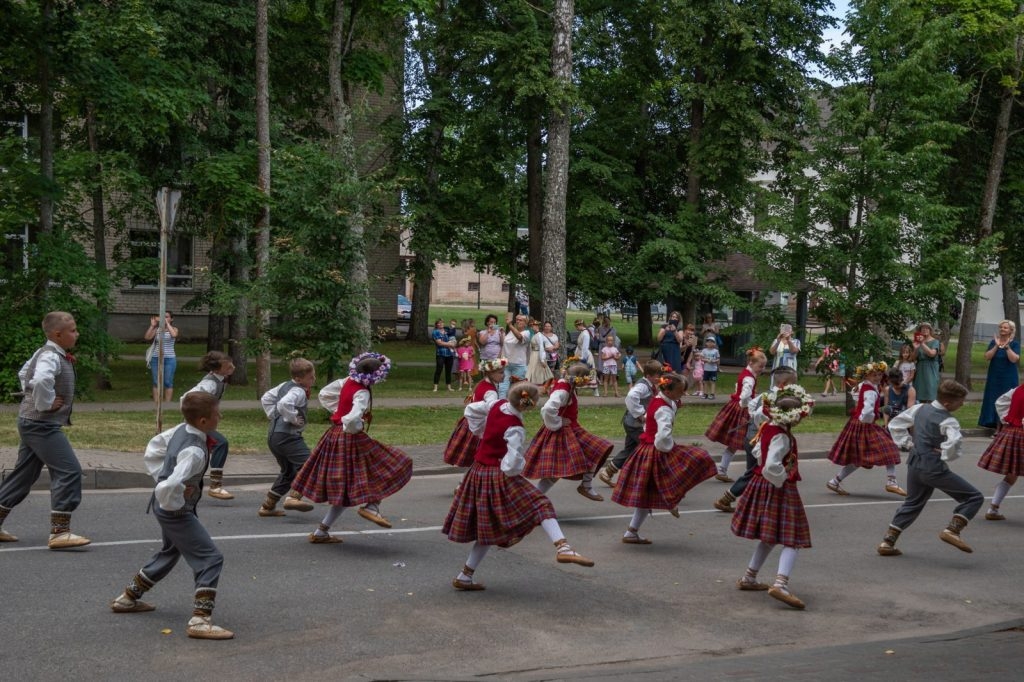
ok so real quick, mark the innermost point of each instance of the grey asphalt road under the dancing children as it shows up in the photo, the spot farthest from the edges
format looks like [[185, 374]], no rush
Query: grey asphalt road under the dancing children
[[381, 607]]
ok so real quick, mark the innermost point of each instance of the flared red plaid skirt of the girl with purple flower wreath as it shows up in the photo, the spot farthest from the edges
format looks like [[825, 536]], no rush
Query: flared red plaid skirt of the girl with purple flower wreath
[[352, 470]]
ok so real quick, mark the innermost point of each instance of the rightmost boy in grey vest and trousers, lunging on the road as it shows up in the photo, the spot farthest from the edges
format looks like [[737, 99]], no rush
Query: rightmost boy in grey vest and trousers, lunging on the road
[[933, 437]]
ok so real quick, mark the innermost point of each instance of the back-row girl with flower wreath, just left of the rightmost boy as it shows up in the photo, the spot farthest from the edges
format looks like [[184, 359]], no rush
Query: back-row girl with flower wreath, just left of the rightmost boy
[[863, 443]]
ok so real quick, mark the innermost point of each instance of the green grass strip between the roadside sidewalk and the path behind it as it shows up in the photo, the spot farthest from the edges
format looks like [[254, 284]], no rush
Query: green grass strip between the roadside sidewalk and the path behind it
[[401, 427]]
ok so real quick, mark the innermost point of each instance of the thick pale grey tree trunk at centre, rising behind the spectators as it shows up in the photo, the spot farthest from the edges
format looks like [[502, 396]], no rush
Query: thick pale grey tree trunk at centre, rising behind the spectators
[[553, 247]]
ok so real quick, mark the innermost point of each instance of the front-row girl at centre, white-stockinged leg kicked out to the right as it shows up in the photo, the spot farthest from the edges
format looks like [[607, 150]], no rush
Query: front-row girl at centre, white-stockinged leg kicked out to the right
[[495, 505]]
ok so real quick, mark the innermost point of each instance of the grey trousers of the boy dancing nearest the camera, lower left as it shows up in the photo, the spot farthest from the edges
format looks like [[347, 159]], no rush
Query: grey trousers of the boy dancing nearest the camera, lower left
[[184, 536]]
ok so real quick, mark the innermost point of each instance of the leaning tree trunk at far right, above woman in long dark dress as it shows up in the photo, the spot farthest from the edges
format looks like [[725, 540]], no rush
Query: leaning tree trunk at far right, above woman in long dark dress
[[989, 203]]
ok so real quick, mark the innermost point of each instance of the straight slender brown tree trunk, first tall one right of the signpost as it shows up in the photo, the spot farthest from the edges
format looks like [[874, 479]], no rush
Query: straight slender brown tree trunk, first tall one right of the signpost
[[262, 315]]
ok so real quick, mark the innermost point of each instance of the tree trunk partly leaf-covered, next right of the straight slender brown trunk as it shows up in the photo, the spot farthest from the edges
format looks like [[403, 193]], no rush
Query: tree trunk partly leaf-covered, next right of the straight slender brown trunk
[[345, 153]]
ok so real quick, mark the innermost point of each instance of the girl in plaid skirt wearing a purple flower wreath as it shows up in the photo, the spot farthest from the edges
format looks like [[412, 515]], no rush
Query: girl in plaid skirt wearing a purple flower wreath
[[348, 467]]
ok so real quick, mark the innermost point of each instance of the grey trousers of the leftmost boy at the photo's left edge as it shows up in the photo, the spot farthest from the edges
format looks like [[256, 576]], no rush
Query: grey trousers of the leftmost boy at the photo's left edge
[[45, 444]]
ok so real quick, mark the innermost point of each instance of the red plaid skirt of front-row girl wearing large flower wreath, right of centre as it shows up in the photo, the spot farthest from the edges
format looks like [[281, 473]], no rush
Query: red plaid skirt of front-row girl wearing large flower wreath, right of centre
[[774, 516]]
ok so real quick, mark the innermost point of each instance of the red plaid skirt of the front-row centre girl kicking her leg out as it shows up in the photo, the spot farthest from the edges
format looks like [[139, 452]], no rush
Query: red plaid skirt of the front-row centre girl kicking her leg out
[[494, 509]]
